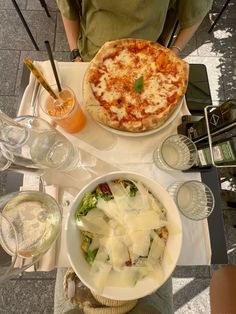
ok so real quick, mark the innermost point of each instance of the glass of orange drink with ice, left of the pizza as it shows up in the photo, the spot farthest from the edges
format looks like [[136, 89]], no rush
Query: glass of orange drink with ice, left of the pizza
[[65, 110]]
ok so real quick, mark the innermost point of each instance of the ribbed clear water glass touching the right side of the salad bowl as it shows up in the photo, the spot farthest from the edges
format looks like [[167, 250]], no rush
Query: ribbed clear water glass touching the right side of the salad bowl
[[194, 199]]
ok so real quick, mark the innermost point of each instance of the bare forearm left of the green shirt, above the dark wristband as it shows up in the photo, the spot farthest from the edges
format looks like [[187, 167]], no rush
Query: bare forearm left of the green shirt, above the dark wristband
[[72, 31]]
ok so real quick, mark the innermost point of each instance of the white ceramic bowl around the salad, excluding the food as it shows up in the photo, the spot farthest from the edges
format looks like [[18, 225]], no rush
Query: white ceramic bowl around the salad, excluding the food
[[172, 250]]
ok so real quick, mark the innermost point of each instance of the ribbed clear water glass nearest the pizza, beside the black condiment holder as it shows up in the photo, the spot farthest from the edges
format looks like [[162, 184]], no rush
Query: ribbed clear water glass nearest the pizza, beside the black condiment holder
[[176, 152]]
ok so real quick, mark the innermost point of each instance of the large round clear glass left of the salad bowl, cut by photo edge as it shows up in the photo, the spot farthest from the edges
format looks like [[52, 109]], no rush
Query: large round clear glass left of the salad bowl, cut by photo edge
[[30, 221]]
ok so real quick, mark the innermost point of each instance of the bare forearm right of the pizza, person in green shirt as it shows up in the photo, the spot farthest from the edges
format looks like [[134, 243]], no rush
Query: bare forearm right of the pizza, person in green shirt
[[184, 37]]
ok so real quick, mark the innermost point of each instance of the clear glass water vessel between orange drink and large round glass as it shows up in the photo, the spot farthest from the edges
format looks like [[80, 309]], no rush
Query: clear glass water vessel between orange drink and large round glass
[[36, 144]]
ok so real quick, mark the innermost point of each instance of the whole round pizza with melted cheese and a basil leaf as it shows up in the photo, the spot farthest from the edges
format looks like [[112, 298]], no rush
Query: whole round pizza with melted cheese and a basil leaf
[[134, 85]]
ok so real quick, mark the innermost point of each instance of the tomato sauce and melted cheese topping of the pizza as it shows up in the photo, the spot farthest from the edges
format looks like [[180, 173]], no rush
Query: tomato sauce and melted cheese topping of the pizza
[[113, 82]]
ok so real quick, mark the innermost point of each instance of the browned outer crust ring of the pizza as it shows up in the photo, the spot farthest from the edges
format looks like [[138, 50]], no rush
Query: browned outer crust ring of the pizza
[[104, 114]]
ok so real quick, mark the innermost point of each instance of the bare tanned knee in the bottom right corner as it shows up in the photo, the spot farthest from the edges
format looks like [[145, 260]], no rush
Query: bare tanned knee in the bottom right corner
[[223, 290]]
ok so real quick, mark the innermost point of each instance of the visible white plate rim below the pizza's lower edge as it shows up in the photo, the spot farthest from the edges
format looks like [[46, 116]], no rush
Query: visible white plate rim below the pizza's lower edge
[[144, 133]]
